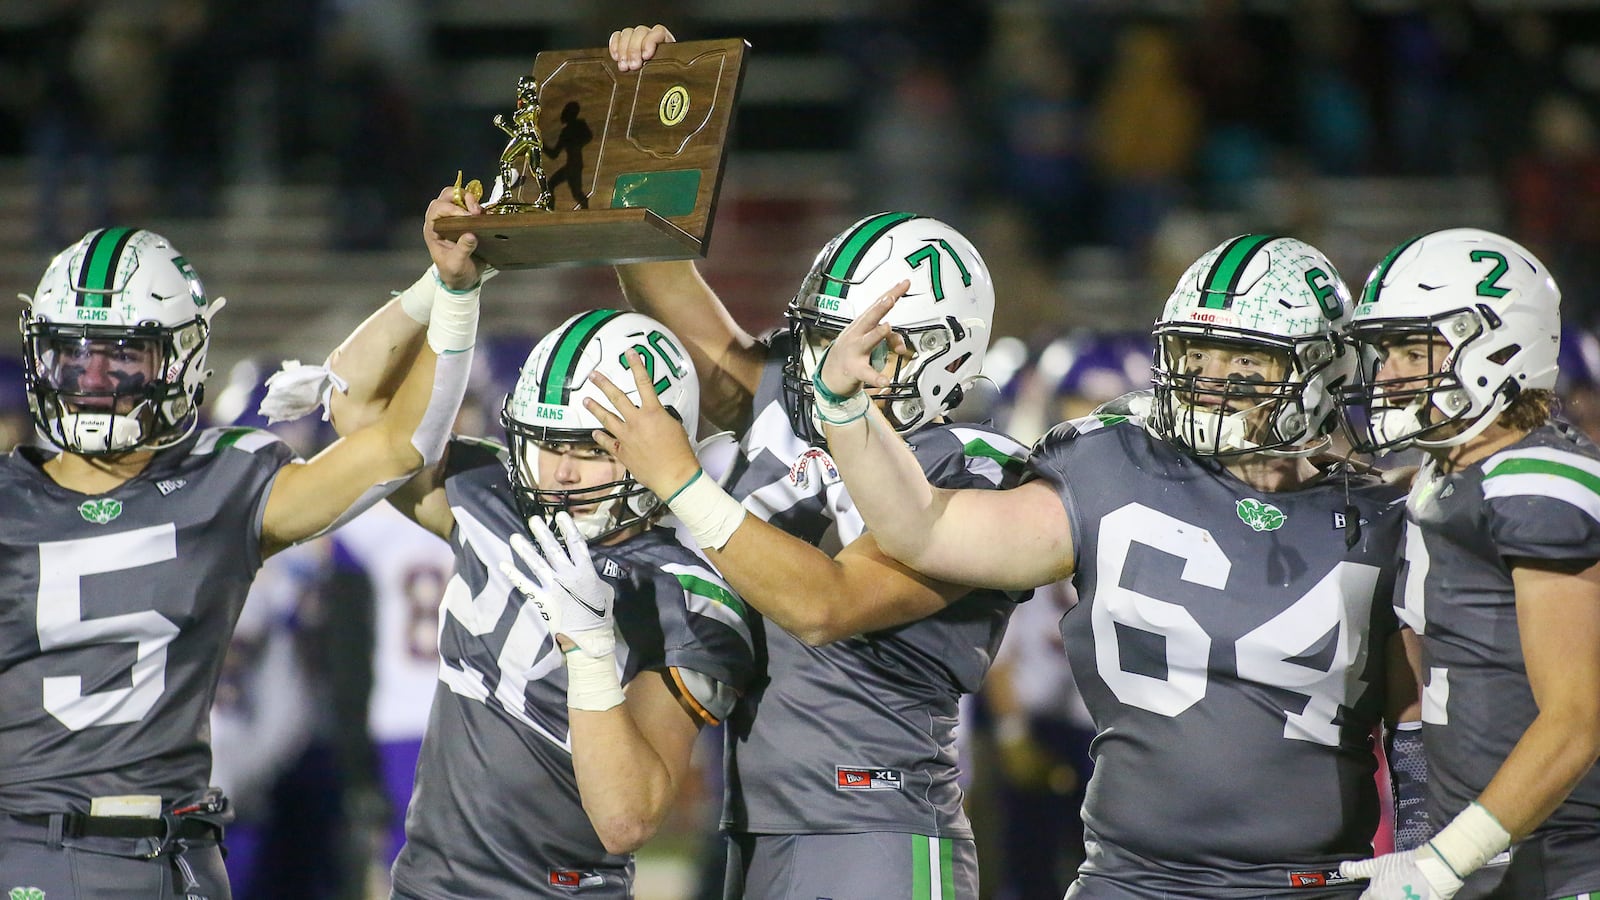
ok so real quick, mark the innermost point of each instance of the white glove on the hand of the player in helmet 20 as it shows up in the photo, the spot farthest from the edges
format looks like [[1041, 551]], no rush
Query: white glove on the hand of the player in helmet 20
[[566, 587]]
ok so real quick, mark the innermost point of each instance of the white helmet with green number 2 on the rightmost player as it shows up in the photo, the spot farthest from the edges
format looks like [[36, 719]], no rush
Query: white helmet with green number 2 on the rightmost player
[[1494, 313]]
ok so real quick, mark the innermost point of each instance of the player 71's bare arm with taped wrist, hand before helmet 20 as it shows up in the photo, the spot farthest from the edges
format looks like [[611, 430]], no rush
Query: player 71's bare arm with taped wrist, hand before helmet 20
[[814, 597]]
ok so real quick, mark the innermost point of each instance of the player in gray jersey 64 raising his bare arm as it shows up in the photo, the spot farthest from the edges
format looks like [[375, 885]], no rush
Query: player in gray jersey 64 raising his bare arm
[[1231, 640]]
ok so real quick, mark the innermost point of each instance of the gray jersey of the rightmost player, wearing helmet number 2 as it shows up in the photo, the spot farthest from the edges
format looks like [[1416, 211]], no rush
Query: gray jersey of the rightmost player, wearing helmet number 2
[[1540, 499]]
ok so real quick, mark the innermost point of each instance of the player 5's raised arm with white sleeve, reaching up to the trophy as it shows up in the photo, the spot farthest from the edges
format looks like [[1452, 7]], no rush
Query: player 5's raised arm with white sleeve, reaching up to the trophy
[[410, 432]]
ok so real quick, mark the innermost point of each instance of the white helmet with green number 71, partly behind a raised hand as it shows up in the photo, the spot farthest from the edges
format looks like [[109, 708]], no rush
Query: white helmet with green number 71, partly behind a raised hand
[[945, 318]]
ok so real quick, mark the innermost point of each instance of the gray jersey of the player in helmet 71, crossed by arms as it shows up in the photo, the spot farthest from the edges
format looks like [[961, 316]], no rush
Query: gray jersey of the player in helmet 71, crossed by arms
[[858, 736]]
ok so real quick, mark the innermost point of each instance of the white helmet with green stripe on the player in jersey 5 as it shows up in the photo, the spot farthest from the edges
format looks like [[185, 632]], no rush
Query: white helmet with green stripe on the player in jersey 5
[[116, 340]]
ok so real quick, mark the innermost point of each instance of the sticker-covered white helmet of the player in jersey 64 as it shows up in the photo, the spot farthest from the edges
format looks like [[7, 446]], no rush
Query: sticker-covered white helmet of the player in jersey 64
[[1263, 294]]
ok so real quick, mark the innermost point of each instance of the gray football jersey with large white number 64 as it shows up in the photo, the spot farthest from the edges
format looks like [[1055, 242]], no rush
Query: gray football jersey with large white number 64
[[1231, 654]]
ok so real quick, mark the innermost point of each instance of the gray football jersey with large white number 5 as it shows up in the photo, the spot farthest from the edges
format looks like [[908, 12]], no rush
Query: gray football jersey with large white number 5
[[116, 613]]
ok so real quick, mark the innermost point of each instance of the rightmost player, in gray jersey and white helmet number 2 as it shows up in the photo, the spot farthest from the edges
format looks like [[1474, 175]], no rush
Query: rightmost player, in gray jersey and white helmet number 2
[[1458, 334]]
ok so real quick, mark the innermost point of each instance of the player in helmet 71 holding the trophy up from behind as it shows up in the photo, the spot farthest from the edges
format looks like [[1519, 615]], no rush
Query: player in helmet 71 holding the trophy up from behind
[[842, 763]]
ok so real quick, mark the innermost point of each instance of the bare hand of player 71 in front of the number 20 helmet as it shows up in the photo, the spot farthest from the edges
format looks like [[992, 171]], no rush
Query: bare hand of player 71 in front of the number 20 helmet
[[646, 438]]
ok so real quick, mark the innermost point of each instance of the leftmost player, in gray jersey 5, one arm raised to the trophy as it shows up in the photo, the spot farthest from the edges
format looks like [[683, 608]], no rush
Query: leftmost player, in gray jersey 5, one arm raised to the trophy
[[129, 547]]
